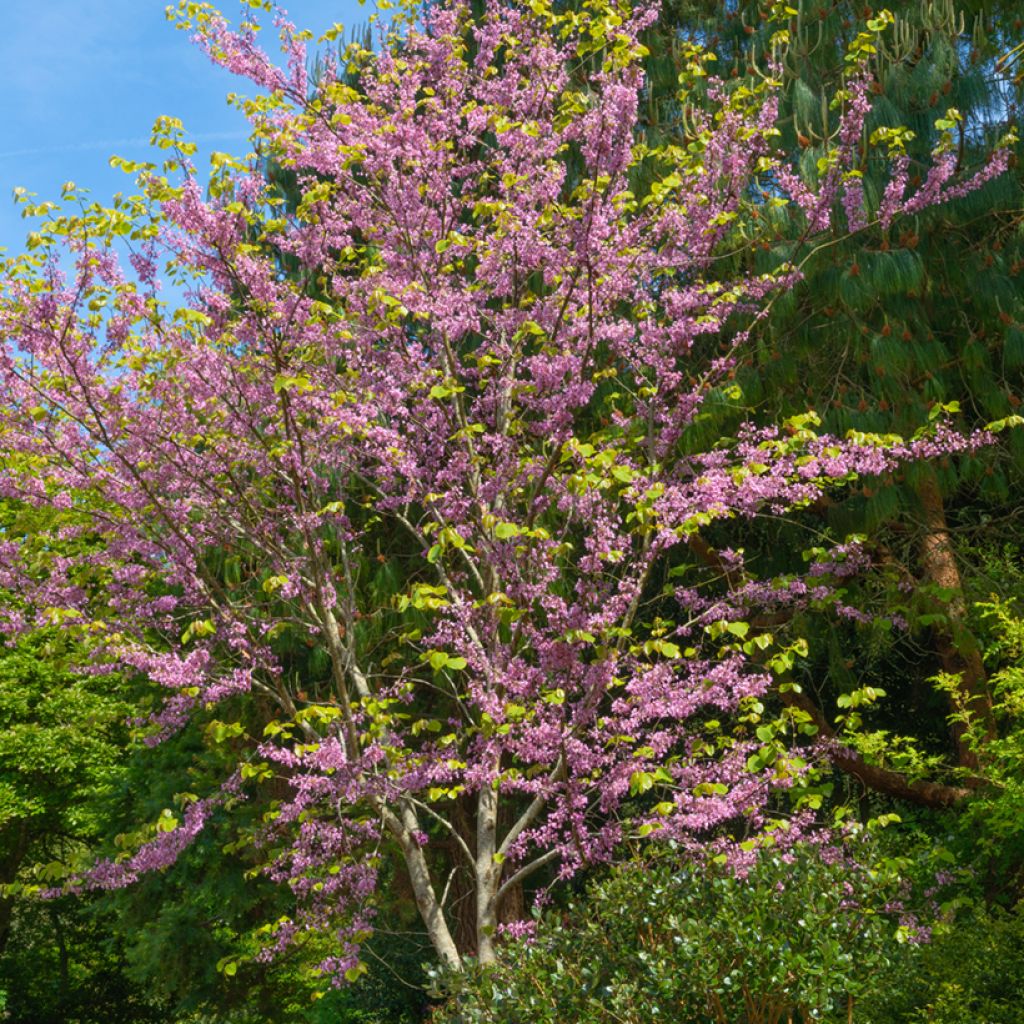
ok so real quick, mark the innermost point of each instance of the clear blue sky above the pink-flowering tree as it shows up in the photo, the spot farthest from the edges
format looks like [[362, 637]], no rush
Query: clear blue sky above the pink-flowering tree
[[87, 79]]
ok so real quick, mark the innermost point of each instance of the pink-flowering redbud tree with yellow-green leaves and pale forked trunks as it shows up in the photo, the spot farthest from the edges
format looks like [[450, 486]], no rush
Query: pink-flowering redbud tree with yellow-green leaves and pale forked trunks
[[434, 409]]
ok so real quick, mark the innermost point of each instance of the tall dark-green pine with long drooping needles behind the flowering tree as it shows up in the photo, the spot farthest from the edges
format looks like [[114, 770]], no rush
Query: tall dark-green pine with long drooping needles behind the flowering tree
[[891, 324]]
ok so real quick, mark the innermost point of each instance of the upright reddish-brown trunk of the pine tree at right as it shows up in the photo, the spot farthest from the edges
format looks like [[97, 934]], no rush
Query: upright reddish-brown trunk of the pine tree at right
[[958, 648]]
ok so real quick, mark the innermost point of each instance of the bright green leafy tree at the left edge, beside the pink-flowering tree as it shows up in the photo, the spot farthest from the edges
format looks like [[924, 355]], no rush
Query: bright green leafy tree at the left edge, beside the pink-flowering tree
[[63, 737]]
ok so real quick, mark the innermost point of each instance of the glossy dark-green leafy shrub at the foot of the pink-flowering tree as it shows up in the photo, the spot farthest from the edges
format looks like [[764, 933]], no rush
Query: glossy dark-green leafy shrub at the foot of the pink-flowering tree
[[799, 937]]
